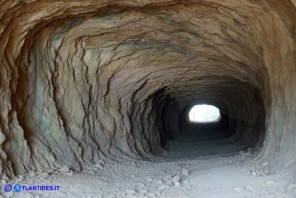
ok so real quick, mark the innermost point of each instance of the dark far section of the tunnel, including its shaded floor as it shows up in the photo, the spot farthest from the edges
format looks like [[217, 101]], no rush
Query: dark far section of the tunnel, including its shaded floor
[[234, 130]]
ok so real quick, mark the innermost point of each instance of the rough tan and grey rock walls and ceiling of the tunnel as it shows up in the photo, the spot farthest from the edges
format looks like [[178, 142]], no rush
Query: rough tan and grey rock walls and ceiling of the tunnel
[[82, 80]]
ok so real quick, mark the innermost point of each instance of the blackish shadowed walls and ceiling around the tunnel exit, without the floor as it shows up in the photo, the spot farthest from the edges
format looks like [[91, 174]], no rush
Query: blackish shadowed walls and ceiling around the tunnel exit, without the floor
[[246, 127]]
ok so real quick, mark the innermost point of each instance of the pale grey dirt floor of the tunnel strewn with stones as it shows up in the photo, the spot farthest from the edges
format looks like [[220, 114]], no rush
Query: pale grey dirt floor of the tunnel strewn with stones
[[188, 169]]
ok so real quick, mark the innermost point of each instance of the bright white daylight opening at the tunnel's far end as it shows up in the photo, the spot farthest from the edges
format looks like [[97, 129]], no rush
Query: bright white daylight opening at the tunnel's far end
[[204, 113]]
